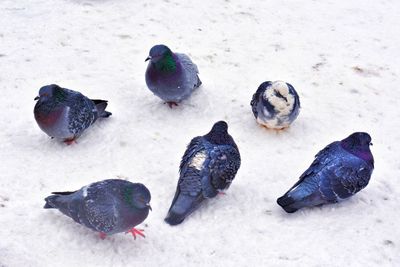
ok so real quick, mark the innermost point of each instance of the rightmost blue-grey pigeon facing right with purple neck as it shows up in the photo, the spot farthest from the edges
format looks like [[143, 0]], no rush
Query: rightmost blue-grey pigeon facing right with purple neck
[[339, 171]]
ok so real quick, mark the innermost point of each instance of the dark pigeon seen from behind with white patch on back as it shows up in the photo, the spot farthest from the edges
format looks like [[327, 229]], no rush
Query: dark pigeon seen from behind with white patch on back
[[208, 167]]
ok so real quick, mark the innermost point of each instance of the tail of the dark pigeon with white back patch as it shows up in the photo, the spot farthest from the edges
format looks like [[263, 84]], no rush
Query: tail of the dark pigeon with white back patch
[[182, 207]]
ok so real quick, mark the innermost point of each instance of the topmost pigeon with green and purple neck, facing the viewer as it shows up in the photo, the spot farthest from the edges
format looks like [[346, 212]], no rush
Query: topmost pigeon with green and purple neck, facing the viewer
[[171, 76]]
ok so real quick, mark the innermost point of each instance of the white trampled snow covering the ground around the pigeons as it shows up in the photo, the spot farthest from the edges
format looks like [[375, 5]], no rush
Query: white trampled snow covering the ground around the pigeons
[[341, 56]]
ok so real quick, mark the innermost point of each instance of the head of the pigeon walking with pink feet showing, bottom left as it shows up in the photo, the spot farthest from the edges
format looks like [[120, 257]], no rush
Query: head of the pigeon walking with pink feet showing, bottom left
[[137, 196]]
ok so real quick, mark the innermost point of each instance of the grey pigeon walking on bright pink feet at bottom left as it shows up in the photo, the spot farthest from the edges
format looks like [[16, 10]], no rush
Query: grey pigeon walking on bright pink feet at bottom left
[[108, 207]]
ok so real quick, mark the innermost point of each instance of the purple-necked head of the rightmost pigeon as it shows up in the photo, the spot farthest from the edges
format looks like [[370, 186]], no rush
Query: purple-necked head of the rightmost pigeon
[[358, 144]]
